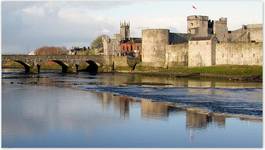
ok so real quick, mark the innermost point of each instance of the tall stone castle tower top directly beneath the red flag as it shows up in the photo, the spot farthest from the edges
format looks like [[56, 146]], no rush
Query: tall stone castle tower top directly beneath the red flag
[[197, 25]]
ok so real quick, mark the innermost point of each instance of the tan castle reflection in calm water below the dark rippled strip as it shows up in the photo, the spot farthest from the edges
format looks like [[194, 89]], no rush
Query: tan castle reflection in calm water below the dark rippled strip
[[195, 118]]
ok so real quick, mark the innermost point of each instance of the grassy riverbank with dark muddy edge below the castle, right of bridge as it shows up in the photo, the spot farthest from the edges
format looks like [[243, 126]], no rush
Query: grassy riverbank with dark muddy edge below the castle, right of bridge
[[228, 72]]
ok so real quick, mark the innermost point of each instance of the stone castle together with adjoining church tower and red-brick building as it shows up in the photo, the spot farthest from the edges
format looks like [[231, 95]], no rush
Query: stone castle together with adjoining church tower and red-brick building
[[206, 43]]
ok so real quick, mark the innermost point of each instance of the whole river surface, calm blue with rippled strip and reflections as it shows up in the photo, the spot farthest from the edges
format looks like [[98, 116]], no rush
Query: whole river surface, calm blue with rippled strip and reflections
[[126, 110]]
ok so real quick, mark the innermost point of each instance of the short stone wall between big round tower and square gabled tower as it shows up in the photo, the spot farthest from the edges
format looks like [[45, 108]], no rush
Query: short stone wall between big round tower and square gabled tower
[[177, 55]]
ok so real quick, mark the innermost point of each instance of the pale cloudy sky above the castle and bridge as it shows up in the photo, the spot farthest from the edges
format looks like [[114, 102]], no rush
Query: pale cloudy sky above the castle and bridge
[[27, 25]]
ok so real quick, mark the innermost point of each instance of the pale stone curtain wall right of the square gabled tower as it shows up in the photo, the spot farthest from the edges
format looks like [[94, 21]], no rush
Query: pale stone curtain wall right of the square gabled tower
[[239, 53]]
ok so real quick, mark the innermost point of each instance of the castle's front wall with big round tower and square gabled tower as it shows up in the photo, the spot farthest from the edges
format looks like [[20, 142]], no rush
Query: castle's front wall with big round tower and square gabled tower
[[202, 52]]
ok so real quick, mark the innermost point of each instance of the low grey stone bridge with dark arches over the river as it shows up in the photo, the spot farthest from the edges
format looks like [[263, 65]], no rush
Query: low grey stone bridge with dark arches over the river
[[69, 63]]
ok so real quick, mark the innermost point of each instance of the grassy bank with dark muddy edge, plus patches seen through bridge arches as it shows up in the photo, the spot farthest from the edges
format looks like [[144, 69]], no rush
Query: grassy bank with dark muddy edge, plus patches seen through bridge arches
[[230, 72]]
